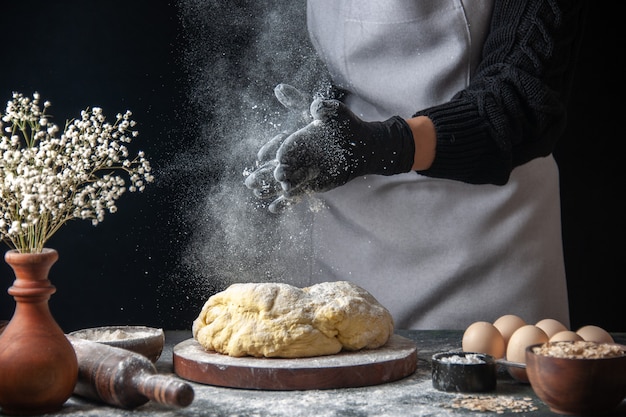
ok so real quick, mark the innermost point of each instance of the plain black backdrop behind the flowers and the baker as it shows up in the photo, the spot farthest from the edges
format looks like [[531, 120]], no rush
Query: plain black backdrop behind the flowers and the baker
[[130, 55]]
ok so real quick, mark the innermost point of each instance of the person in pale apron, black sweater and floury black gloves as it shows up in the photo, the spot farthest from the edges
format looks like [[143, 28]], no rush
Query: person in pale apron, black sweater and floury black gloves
[[449, 213]]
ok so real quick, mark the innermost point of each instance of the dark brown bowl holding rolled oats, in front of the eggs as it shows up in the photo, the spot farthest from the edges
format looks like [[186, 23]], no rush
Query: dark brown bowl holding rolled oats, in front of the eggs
[[577, 386]]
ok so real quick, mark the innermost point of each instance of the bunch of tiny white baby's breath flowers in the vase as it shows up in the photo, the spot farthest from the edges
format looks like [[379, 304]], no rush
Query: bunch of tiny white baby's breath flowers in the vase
[[46, 180]]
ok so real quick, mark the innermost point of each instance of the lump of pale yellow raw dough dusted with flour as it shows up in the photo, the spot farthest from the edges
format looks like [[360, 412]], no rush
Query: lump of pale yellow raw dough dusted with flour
[[280, 320]]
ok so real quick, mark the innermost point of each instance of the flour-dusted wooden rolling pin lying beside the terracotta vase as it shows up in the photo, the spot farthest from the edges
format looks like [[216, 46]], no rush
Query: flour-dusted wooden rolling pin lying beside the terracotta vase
[[123, 378]]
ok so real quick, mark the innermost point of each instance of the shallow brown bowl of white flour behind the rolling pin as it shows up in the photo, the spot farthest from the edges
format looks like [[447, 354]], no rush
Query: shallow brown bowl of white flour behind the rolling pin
[[147, 341]]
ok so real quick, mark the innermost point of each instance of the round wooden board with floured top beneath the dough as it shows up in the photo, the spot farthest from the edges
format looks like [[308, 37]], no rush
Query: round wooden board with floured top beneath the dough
[[395, 360]]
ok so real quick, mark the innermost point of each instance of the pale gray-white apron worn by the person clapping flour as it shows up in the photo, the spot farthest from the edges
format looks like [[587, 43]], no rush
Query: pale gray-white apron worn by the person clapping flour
[[437, 253]]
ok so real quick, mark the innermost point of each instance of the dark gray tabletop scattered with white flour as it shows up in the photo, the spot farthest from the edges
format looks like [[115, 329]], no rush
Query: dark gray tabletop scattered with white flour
[[411, 396]]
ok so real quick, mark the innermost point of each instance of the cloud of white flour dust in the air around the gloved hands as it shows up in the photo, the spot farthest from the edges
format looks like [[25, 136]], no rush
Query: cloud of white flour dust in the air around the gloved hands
[[235, 56]]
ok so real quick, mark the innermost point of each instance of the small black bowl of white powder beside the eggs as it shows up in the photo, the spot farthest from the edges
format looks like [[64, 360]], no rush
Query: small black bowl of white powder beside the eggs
[[464, 372]]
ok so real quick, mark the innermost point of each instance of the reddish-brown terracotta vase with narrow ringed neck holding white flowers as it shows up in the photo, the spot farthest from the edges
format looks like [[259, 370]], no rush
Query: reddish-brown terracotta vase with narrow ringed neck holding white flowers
[[38, 366]]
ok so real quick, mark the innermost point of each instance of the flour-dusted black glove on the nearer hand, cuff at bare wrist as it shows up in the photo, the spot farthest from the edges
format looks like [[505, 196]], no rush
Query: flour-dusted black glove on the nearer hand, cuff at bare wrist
[[337, 146]]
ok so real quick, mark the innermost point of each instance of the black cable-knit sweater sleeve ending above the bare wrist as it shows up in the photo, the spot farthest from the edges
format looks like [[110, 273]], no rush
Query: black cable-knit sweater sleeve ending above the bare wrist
[[514, 108]]
